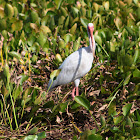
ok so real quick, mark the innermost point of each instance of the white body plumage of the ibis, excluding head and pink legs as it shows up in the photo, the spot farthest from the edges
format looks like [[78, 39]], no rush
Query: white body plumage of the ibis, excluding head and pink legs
[[74, 67]]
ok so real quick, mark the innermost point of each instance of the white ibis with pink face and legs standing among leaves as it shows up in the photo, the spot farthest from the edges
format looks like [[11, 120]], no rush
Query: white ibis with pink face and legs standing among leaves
[[76, 65]]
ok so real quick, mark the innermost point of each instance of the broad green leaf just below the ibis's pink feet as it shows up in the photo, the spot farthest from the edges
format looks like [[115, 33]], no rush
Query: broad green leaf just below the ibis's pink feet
[[82, 101]]
